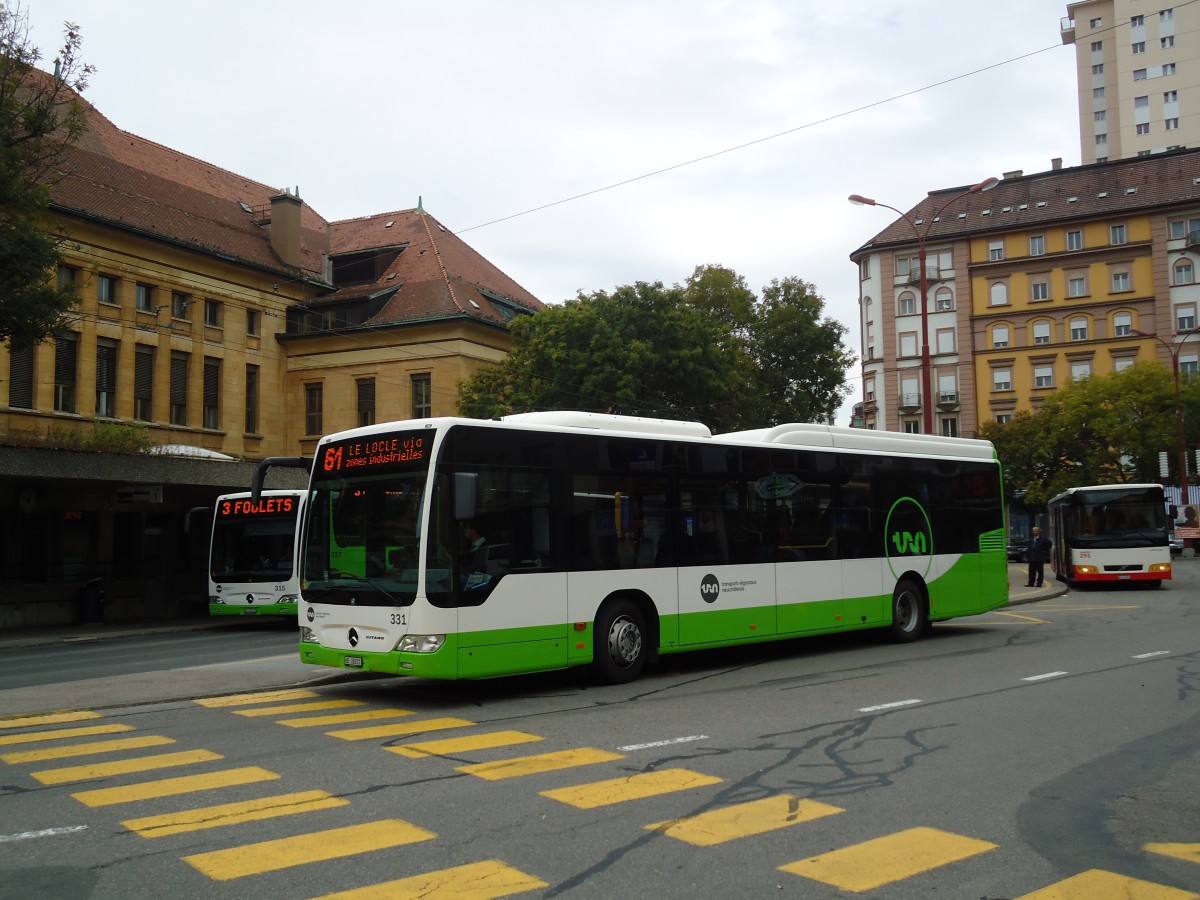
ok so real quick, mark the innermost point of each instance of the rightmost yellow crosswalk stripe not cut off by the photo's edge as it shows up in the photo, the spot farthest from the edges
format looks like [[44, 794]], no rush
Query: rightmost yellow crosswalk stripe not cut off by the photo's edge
[[889, 860]]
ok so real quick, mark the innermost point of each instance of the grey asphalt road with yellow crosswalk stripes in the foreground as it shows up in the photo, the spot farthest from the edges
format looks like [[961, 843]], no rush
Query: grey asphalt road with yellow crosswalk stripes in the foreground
[[1048, 751]]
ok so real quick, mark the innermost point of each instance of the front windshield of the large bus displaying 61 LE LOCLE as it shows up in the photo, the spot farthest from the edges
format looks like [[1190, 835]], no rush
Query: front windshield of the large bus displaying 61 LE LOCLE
[[364, 524]]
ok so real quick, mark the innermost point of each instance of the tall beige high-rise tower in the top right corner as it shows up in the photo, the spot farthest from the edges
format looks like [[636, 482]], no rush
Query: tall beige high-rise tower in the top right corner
[[1138, 75]]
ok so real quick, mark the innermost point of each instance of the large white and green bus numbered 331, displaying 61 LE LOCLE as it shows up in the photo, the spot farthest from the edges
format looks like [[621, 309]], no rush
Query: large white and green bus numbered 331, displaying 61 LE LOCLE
[[471, 549]]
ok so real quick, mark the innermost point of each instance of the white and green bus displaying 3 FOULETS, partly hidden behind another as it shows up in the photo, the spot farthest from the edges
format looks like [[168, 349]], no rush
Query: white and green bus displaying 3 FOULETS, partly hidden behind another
[[253, 554]]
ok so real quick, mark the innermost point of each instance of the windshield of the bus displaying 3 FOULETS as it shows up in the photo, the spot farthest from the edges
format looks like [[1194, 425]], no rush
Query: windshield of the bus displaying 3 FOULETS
[[254, 545]]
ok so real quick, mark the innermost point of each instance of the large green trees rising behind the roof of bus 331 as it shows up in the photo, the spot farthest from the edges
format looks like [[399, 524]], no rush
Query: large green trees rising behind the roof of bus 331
[[706, 351]]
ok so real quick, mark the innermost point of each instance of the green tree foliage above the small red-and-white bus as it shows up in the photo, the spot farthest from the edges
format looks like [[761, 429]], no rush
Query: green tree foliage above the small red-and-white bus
[[1102, 430]]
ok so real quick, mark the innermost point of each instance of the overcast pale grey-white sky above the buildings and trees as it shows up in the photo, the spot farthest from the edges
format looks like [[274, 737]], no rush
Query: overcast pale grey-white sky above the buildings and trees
[[581, 146]]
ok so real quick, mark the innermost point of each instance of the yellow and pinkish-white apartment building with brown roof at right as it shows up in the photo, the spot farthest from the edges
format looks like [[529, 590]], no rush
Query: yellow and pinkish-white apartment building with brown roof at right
[[1041, 280]]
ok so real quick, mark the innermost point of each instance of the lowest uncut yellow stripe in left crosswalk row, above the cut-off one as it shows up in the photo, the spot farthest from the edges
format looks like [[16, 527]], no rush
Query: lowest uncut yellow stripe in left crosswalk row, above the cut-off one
[[316, 848]]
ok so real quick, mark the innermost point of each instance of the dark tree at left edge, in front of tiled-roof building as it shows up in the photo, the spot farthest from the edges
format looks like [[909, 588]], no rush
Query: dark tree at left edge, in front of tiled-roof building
[[41, 119]]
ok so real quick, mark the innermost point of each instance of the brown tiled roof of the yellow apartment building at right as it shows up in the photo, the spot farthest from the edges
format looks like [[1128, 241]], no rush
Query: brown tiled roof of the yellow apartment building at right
[[1099, 190]]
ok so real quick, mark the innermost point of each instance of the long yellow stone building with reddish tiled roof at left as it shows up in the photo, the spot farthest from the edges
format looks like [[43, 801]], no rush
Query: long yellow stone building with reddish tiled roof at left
[[226, 320]]
